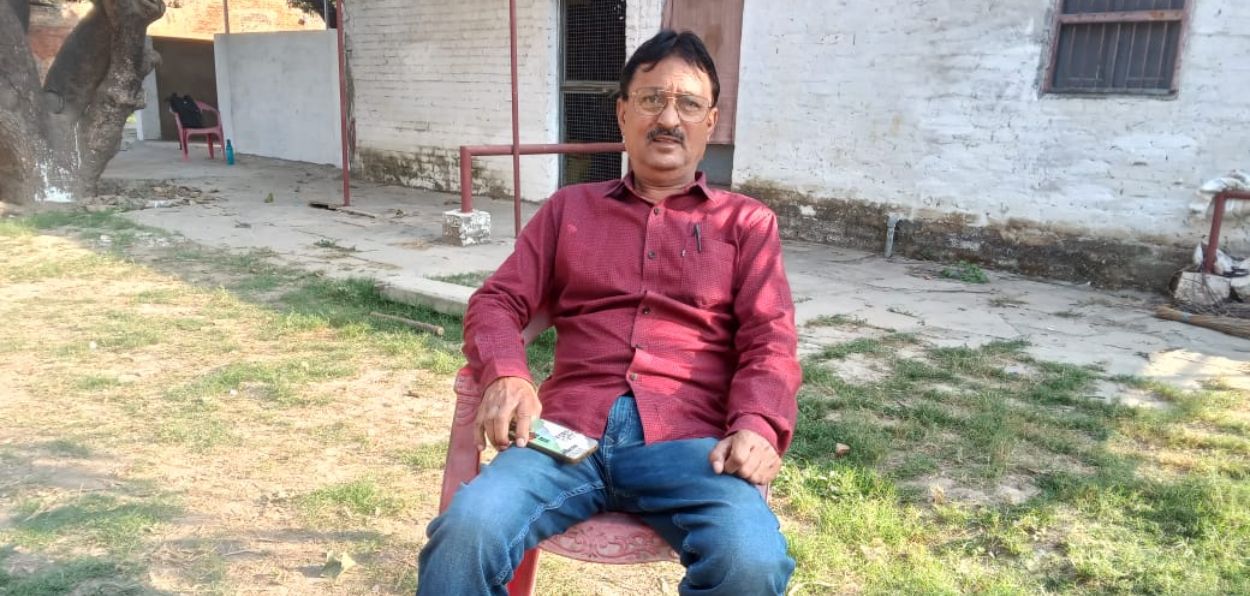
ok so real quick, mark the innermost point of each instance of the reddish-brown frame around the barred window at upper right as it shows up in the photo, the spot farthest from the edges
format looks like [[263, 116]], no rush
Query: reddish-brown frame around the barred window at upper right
[[1181, 17]]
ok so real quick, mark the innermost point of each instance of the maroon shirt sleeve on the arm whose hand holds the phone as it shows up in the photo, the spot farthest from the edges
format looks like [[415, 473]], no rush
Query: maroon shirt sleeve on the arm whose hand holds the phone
[[508, 300]]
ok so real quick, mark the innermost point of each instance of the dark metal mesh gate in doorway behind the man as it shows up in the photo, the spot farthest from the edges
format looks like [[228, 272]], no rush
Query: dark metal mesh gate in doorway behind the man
[[593, 53]]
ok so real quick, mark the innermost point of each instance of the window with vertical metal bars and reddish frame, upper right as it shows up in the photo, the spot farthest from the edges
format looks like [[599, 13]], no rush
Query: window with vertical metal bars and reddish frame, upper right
[[1117, 47]]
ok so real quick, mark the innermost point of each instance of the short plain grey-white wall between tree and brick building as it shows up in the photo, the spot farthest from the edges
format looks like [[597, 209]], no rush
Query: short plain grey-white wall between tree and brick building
[[279, 94]]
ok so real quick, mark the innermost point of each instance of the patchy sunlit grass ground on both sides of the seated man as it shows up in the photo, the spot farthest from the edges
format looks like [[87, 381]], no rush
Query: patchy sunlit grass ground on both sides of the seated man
[[284, 422]]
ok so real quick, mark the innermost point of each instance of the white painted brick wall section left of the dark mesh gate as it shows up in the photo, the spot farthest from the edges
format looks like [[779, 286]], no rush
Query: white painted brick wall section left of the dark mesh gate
[[433, 76]]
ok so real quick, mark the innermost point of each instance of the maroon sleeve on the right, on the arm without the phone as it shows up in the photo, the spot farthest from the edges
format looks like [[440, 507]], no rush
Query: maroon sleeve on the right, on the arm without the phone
[[763, 394]]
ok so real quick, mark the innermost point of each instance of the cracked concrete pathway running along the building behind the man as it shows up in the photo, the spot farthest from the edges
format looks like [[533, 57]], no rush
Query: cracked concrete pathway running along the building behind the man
[[402, 248]]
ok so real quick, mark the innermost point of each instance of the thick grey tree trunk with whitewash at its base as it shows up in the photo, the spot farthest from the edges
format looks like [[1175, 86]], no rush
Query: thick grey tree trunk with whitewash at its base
[[57, 138]]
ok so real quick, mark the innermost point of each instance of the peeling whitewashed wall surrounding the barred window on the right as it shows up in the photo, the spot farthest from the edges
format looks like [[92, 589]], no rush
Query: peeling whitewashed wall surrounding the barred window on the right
[[934, 106]]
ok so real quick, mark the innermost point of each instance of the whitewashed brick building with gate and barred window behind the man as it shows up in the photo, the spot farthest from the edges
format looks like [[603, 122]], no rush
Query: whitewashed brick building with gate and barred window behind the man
[[1063, 138]]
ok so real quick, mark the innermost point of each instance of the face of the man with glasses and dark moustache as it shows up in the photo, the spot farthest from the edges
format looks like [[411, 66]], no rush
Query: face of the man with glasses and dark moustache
[[668, 144]]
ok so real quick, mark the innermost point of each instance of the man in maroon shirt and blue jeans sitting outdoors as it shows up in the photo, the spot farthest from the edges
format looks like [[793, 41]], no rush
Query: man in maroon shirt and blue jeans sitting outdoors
[[676, 349]]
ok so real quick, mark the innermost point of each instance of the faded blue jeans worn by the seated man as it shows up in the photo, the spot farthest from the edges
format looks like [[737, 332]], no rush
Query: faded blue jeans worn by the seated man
[[722, 528]]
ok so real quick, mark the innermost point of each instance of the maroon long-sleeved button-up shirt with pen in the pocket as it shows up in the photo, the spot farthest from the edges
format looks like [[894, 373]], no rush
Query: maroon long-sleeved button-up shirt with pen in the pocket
[[684, 304]]
